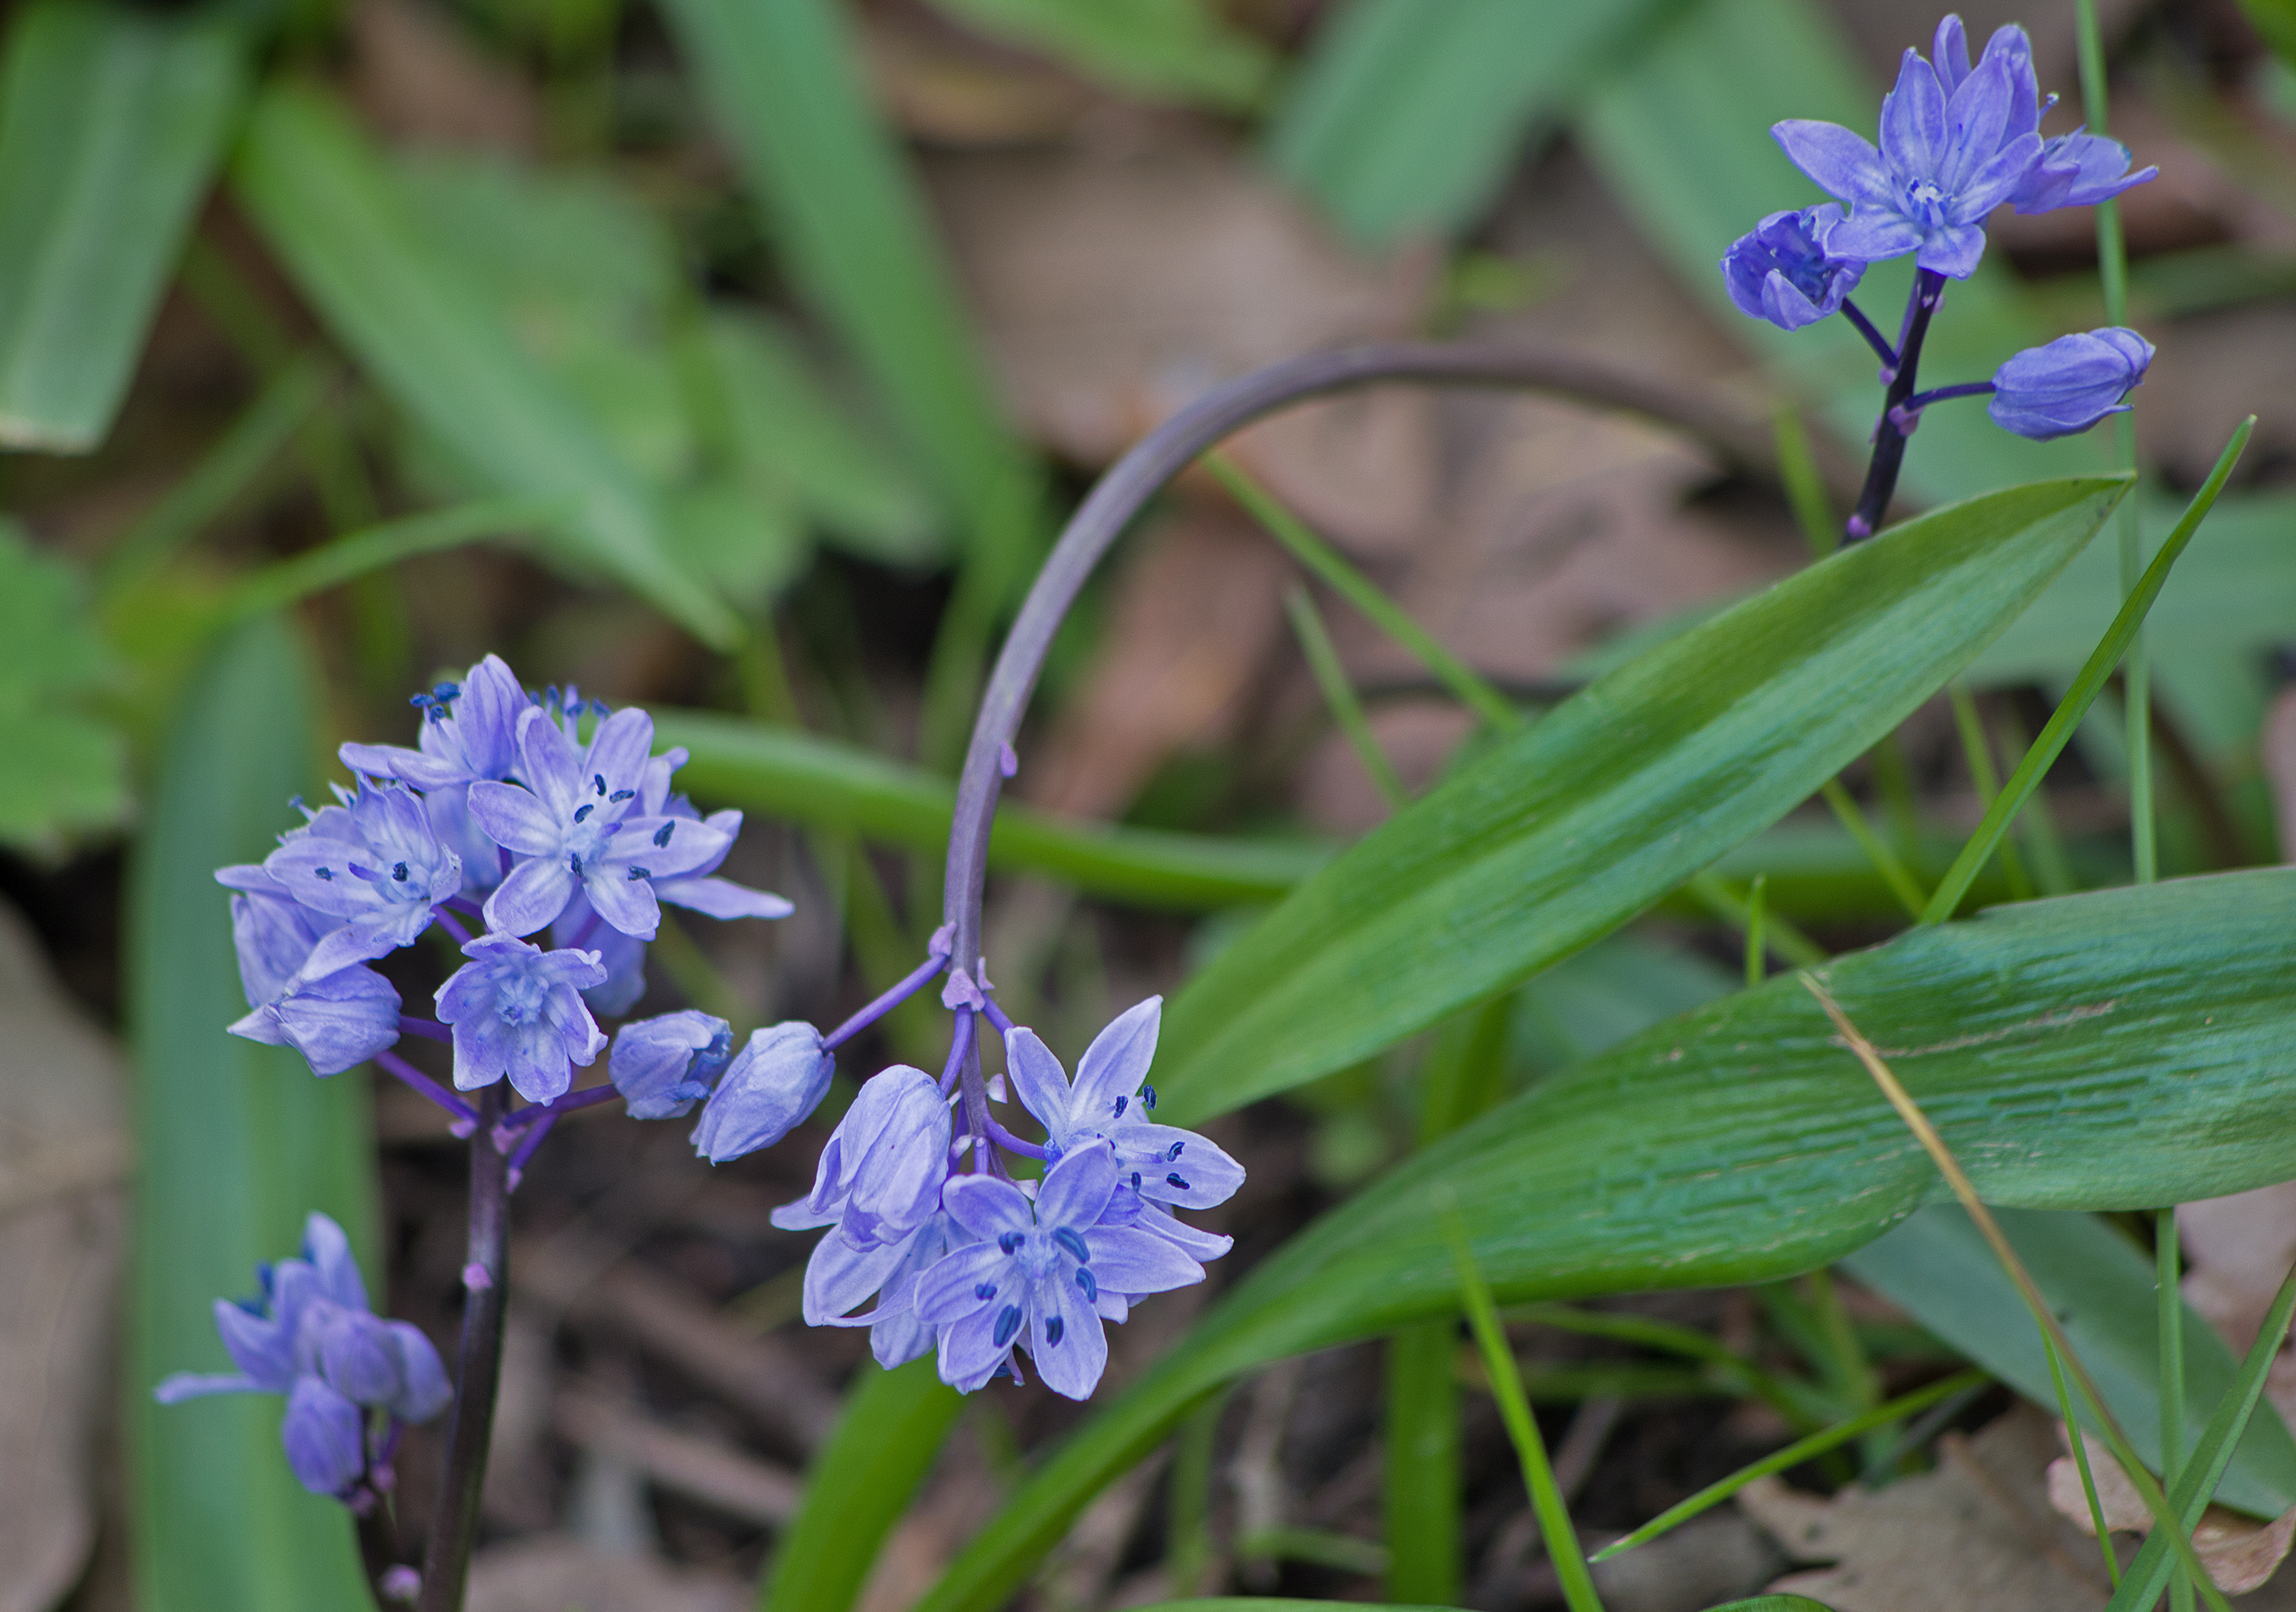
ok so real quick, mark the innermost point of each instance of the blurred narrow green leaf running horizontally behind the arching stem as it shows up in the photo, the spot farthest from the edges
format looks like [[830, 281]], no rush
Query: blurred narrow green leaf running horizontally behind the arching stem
[[835, 786]]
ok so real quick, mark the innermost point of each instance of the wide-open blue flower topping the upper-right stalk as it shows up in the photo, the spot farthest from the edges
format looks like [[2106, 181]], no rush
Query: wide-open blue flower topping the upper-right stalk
[[1948, 157]]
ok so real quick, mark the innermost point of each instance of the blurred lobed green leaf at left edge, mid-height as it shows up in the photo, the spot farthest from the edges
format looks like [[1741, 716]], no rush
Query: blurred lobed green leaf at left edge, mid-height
[[68, 768]]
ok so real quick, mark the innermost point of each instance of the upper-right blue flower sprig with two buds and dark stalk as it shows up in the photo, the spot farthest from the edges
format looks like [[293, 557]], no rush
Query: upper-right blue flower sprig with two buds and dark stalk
[[1957, 141]]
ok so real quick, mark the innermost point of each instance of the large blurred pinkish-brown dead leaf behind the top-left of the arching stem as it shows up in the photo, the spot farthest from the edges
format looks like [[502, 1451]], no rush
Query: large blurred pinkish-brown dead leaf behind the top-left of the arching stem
[[1122, 279]]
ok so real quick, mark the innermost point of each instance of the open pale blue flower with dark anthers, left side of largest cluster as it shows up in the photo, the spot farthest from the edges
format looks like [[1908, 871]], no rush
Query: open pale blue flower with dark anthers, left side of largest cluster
[[378, 865]]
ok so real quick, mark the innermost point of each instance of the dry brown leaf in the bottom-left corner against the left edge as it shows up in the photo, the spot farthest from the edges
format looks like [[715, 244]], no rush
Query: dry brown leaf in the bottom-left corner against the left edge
[[63, 1147]]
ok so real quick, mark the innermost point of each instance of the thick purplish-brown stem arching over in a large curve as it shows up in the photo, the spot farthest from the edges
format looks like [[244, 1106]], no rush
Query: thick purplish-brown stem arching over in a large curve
[[1172, 447]]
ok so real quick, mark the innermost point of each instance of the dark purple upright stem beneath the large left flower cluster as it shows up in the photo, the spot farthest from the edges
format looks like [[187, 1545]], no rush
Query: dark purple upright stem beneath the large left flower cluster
[[447, 1565]]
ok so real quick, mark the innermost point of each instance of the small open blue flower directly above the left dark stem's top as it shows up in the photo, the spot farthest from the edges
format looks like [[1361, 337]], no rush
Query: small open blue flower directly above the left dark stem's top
[[518, 1012]]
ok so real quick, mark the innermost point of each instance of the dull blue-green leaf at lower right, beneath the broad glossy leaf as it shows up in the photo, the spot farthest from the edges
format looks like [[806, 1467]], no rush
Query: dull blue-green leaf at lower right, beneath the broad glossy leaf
[[2102, 1289]]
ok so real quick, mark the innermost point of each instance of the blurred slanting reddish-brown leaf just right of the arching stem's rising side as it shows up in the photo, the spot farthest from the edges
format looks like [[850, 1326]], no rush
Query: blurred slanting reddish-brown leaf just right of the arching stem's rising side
[[1190, 623]]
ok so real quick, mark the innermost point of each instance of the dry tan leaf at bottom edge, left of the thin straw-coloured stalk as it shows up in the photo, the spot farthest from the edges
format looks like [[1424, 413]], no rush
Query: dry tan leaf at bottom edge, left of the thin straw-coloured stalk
[[1973, 1535]]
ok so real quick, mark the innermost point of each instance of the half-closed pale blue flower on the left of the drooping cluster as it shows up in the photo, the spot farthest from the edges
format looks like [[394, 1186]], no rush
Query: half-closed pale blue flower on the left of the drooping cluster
[[881, 1177]]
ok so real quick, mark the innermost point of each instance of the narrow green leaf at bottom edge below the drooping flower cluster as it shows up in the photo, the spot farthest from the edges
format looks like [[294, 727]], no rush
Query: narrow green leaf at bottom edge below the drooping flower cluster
[[860, 1485]]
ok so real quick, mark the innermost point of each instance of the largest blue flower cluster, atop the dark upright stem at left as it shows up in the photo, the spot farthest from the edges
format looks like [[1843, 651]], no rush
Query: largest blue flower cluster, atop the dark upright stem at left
[[548, 821]]
